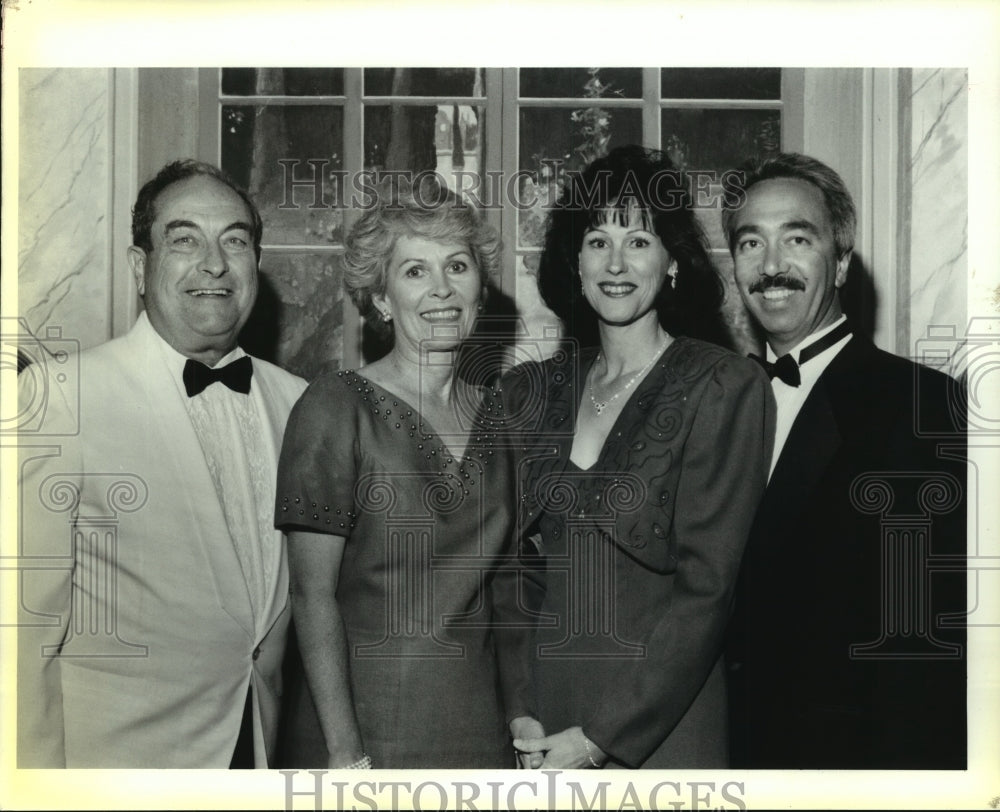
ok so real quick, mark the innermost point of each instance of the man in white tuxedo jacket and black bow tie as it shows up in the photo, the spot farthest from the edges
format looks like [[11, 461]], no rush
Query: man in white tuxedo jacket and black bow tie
[[154, 602]]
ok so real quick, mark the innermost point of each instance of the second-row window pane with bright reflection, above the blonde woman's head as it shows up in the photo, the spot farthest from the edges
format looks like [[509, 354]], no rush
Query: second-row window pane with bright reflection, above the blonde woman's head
[[445, 138]]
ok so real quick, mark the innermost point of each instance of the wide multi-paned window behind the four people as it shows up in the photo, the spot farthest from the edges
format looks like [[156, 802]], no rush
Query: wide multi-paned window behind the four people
[[299, 139]]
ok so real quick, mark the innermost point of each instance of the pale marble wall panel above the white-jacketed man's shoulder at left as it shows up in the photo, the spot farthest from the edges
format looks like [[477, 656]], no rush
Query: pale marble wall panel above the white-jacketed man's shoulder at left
[[64, 194]]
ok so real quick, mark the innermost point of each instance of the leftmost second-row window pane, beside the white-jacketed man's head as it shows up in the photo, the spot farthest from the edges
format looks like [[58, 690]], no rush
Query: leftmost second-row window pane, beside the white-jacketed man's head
[[269, 149]]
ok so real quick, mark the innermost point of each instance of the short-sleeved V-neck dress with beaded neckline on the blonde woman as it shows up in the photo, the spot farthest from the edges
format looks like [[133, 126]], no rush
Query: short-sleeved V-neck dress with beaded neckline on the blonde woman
[[418, 589]]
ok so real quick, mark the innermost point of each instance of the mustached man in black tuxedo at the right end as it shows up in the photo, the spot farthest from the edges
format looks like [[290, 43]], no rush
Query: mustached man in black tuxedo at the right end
[[847, 647]]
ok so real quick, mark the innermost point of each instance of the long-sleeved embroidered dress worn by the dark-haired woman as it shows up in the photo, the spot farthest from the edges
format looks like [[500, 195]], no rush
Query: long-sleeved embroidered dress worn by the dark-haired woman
[[640, 552]]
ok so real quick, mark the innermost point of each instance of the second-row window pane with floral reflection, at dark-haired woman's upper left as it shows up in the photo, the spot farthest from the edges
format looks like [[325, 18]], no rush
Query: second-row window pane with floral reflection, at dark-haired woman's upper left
[[554, 141]]
